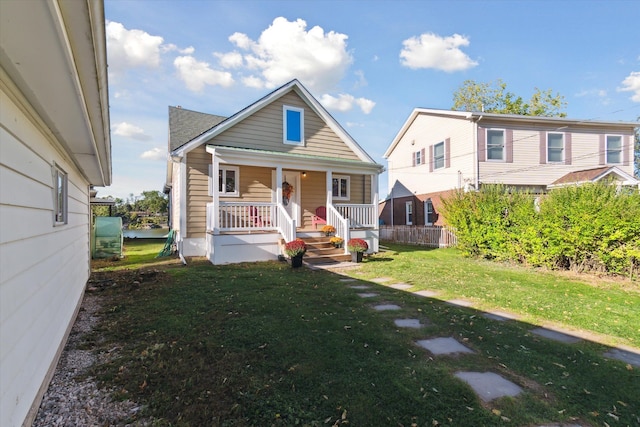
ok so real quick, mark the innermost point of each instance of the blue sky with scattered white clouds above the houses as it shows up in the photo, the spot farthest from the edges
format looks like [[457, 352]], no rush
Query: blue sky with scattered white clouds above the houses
[[369, 63]]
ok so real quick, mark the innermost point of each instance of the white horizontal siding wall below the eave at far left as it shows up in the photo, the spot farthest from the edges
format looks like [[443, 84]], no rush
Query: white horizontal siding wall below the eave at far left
[[43, 269]]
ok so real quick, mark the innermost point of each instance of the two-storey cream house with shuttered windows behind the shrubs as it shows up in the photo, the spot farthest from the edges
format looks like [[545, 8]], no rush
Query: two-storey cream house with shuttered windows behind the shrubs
[[438, 151]]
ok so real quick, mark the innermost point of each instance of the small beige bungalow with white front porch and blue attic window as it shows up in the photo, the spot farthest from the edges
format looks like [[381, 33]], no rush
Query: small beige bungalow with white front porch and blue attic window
[[275, 171]]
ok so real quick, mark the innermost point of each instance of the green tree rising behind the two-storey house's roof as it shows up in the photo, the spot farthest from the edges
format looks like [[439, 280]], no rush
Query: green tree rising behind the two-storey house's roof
[[493, 97]]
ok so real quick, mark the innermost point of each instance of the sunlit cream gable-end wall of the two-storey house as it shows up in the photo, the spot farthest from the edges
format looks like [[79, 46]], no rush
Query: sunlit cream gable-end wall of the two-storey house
[[426, 131]]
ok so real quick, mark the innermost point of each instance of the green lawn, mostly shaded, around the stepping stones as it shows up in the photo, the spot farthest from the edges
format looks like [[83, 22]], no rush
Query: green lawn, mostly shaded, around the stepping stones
[[261, 344]]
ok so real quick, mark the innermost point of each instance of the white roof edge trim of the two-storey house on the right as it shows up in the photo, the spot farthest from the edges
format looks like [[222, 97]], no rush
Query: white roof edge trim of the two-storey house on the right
[[476, 116]]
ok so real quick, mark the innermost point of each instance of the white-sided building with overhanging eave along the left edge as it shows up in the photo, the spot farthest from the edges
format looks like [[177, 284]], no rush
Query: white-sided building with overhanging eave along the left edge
[[54, 145]]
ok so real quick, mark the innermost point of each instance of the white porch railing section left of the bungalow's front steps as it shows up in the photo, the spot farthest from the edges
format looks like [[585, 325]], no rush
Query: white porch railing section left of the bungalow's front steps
[[242, 216]]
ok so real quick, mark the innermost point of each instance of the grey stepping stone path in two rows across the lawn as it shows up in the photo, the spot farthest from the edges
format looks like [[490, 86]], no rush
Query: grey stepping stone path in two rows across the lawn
[[487, 385]]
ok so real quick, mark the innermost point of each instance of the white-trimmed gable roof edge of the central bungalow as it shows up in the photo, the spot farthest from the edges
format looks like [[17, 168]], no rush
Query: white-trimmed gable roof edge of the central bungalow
[[305, 95]]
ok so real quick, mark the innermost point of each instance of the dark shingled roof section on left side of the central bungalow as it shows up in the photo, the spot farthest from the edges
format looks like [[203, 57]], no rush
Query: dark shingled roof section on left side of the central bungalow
[[184, 125]]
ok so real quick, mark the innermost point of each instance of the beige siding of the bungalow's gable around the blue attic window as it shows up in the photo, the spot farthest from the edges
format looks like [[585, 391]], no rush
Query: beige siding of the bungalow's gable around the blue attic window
[[263, 131]]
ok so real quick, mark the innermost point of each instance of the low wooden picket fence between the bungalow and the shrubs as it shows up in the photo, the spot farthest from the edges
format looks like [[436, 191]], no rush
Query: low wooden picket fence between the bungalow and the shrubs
[[434, 237]]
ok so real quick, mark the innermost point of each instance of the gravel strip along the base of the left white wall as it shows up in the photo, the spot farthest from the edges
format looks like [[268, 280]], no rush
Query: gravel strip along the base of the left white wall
[[75, 400]]
